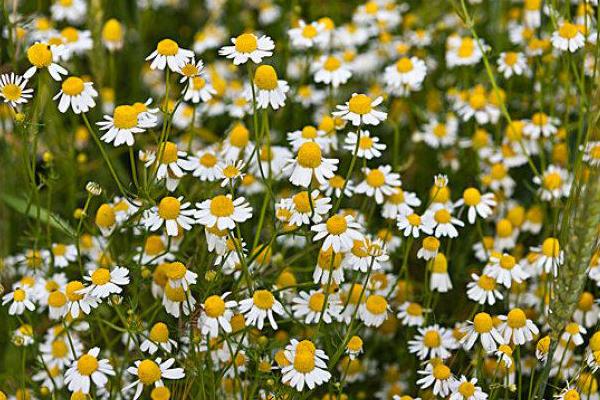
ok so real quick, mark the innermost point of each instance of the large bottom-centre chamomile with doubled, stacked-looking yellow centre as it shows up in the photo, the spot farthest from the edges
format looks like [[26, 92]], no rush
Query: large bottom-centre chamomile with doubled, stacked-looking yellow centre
[[305, 365]]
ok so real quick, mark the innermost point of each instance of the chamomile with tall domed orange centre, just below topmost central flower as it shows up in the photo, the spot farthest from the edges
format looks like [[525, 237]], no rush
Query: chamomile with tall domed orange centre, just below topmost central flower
[[269, 90]]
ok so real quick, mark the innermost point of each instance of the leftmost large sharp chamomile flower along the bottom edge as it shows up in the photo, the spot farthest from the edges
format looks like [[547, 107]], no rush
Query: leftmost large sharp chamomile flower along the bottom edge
[[87, 369]]
